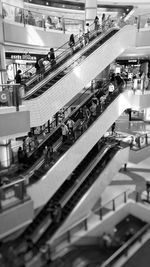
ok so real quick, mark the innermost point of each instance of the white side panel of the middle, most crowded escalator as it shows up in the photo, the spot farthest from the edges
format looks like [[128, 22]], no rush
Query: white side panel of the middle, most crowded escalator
[[72, 155]]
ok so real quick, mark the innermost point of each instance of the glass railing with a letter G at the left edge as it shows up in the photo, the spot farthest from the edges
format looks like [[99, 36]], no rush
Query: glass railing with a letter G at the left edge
[[10, 95]]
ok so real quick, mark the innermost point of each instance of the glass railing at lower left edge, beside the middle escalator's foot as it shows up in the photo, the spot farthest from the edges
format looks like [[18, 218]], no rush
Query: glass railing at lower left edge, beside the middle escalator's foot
[[12, 194]]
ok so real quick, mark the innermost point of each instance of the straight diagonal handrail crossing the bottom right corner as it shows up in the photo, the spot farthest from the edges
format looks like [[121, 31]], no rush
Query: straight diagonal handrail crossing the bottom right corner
[[126, 246]]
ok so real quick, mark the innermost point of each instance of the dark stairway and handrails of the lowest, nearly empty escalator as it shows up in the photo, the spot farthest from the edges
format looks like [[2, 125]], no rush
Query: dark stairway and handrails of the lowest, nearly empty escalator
[[71, 193]]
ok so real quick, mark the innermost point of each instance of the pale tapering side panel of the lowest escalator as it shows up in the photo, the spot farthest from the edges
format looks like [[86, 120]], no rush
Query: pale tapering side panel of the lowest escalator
[[89, 199]]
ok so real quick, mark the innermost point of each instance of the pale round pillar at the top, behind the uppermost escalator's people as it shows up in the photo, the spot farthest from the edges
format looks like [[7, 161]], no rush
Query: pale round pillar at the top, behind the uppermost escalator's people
[[90, 11]]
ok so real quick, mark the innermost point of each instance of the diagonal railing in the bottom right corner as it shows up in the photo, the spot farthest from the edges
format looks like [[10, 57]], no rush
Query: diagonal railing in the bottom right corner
[[123, 251]]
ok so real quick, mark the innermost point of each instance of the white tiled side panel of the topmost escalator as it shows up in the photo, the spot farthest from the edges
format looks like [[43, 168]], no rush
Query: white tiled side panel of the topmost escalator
[[46, 105]]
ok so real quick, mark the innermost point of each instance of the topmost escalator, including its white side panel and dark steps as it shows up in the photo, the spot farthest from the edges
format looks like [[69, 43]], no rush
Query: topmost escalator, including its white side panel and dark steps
[[69, 79]]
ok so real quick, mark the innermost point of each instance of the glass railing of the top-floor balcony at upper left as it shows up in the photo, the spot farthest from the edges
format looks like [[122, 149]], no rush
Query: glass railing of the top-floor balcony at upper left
[[38, 19]]
